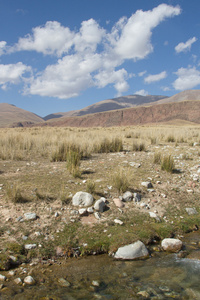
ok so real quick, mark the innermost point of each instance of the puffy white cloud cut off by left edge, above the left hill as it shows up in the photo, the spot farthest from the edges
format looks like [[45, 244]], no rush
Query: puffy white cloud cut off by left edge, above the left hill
[[12, 73]]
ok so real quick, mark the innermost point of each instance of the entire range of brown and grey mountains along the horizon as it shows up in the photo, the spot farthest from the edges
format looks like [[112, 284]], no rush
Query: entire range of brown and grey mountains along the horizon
[[126, 110]]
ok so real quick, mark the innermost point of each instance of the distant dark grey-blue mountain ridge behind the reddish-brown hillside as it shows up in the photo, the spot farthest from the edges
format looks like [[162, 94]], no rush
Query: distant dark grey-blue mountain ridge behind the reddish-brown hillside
[[110, 104]]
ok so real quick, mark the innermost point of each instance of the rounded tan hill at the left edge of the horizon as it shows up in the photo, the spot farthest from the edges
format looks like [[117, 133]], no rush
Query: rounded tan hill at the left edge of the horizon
[[10, 116]]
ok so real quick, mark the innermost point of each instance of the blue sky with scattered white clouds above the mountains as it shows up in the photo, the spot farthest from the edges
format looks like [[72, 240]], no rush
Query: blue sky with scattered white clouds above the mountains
[[63, 55]]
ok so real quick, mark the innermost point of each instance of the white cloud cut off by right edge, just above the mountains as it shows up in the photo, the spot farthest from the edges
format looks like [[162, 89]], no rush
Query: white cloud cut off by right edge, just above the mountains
[[188, 78]]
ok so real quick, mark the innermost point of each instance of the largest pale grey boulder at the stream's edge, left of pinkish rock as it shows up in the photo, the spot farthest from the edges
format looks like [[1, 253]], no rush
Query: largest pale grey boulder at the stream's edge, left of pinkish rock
[[133, 251]]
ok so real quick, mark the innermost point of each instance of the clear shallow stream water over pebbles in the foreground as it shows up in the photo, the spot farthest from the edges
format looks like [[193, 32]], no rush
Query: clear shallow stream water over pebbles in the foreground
[[161, 277]]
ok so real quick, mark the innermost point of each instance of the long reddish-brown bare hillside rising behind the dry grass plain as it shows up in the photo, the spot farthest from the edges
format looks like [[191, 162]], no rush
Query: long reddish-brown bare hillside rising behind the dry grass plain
[[186, 111]]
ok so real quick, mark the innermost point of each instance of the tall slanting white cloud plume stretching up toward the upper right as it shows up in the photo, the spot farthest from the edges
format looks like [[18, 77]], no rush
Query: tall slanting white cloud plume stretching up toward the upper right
[[131, 38]]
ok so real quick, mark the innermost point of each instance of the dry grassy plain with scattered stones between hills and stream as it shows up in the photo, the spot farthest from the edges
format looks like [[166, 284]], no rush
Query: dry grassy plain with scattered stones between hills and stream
[[42, 168]]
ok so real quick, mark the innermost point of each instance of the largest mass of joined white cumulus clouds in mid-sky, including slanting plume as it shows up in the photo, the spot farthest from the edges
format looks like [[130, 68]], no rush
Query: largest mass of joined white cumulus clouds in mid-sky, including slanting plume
[[91, 56]]
